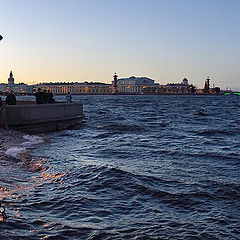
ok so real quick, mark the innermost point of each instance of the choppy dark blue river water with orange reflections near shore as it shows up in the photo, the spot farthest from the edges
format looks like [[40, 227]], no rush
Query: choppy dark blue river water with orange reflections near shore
[[140, 167]]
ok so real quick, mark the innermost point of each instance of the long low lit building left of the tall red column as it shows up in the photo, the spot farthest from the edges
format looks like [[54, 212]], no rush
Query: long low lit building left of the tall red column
[[76, 88]]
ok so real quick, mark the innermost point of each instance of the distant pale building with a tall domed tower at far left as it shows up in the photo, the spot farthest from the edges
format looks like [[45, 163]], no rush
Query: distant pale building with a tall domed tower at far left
[[20, 88]]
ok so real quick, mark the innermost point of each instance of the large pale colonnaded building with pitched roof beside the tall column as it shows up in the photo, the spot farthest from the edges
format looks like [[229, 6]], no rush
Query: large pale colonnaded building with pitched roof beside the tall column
[[134, 85]]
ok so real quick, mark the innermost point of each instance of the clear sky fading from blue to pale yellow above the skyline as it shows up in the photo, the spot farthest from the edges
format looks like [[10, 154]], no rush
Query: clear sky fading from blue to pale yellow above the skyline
[[90, 40]]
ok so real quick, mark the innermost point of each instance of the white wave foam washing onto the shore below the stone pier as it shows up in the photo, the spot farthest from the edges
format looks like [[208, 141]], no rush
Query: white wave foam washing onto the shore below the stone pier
[[31, 141]]
